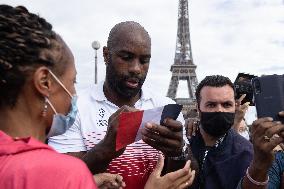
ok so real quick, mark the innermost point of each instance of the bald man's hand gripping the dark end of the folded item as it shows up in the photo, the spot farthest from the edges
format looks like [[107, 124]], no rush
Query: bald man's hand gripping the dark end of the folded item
[[167, 138]]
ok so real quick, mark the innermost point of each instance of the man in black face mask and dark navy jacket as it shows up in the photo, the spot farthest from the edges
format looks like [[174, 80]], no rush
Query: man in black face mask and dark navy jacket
[[222, 154]]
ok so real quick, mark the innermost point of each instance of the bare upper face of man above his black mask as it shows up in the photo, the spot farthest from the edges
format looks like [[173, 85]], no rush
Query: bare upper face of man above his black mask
[[217, 99]]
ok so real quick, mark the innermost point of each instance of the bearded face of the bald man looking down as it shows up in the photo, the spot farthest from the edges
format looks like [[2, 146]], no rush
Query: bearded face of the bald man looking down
[[127, 65]]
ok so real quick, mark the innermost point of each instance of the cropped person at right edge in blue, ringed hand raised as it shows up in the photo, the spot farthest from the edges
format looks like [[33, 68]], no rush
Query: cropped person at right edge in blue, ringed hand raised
[[266, 169]]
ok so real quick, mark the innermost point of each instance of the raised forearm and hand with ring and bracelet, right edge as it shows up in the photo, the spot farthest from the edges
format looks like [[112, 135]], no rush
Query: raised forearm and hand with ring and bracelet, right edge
[[262, 131]]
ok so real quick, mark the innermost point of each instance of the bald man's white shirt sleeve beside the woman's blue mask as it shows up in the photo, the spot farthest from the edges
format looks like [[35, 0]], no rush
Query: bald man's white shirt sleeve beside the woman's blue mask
[[71, 140]]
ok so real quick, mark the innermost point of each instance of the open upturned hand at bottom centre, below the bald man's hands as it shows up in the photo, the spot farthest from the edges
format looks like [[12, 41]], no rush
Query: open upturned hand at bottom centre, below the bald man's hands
[[179, 179]]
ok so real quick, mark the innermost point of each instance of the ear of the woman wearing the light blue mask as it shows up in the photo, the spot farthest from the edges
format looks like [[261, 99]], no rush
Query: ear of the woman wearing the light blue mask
[[42, 81]]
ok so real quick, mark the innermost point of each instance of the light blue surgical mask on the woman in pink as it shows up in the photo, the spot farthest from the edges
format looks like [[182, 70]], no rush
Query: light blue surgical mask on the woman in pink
[[61, 123]]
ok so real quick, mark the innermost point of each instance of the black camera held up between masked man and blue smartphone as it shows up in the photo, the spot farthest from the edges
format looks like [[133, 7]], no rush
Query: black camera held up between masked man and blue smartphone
[[243, 85]]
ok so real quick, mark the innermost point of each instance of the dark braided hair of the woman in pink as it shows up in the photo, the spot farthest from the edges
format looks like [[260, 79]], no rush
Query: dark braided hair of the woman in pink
[[27, 41]]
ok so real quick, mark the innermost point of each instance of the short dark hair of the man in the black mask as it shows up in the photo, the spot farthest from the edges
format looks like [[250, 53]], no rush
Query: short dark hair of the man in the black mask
[[213, 81]]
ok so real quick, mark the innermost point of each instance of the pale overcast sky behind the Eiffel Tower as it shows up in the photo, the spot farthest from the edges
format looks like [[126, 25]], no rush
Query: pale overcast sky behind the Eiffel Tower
[[227, 36]]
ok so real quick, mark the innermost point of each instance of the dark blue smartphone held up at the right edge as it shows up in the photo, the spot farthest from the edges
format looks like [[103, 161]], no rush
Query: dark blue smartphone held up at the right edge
[[269, 96]]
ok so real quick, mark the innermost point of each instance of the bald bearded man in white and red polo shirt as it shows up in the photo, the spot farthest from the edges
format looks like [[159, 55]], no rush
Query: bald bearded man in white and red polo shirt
[[92, 137]]
